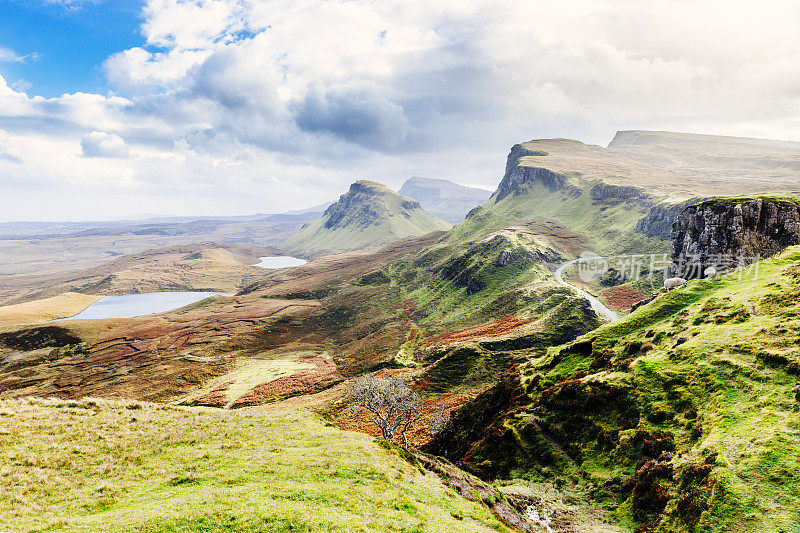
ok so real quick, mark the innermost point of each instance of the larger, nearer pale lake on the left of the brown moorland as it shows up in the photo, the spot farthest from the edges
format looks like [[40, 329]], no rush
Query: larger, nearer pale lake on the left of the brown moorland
[[131, 305]]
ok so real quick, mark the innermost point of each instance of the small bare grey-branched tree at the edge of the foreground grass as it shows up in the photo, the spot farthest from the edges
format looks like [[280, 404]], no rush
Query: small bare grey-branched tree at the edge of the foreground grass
[[390, 404]]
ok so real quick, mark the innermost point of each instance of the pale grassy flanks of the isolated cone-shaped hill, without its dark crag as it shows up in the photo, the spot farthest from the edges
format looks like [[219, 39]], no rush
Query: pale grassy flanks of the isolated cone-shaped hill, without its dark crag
[[390, 224]]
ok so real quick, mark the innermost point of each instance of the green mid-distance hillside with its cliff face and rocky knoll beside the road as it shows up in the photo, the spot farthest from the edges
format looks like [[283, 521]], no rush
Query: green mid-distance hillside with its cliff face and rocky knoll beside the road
[[501, 257]]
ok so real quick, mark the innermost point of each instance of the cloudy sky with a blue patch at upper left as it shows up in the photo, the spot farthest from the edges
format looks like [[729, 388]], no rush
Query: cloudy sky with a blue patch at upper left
[[115, 108]]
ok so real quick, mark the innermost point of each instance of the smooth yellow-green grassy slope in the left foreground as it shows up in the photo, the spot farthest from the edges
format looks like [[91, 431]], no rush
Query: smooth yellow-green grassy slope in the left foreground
[[108, 466]]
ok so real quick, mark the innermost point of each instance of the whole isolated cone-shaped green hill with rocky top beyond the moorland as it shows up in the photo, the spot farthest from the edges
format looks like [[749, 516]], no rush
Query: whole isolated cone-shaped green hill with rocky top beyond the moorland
[[369, 214]]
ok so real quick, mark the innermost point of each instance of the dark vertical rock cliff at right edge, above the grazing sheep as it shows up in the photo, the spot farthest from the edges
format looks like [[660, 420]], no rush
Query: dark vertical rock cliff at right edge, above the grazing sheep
[[730, 232]]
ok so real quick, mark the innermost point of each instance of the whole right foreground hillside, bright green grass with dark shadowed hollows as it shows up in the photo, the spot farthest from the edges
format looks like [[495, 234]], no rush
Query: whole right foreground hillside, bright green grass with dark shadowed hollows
[[682, 416]]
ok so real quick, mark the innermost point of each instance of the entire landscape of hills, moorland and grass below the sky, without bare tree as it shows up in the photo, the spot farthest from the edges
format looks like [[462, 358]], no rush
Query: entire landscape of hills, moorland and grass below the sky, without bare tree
[[555, 397]]
